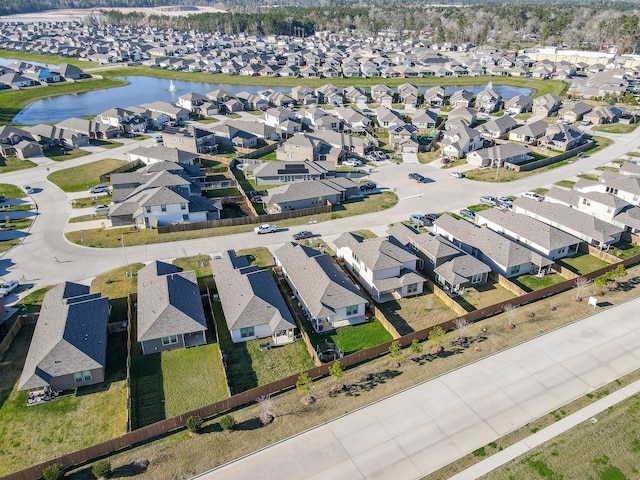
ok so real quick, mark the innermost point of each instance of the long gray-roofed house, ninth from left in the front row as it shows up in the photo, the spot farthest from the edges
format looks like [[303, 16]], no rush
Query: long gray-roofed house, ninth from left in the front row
[[586, 227]]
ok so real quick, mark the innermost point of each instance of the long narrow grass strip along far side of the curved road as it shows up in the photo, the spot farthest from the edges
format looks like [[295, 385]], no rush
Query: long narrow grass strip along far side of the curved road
[[100, 238]]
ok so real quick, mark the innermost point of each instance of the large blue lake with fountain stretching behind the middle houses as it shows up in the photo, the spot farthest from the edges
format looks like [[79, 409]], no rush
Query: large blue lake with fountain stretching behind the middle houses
[[148, 89]]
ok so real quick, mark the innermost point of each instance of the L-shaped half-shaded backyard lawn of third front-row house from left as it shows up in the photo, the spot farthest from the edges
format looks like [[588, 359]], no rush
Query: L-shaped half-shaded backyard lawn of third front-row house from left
[[249, 367]]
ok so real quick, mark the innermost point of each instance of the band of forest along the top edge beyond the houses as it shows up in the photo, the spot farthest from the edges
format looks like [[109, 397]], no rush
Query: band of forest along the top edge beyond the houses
[[582, 24]]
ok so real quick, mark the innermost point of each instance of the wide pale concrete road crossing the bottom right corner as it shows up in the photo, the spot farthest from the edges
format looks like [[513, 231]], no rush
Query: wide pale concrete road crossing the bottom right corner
[[428, 426]]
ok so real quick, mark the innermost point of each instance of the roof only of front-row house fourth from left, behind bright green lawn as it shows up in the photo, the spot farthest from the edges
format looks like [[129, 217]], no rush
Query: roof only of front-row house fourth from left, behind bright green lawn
[[318, 279]]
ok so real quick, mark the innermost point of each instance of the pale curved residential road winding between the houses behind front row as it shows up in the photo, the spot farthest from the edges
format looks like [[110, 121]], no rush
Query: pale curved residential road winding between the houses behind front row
[[45, 257]]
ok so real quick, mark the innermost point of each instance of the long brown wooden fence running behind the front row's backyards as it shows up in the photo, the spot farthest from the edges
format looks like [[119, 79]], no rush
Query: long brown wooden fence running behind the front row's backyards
[[144, 434]]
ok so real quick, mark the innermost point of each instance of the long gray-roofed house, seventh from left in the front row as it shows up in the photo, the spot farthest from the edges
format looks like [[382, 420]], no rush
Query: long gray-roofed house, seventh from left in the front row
[[503, 255]]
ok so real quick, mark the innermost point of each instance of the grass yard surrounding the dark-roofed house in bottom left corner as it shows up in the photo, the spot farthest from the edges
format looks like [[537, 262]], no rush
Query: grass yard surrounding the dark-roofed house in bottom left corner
[[31, 434]]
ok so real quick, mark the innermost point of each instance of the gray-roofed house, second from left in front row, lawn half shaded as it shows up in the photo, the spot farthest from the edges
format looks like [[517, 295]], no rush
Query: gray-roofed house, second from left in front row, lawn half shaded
[[170, 313]]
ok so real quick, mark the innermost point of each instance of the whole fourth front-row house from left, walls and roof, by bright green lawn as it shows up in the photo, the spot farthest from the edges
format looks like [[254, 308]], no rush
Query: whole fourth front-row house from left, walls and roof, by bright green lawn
[[326, 294]]
